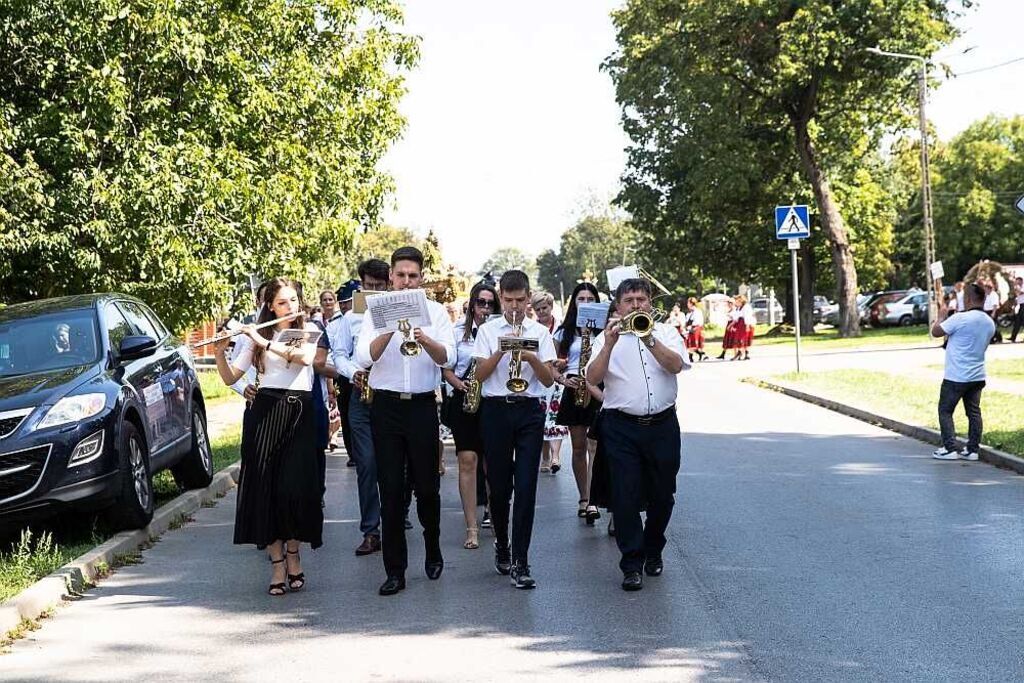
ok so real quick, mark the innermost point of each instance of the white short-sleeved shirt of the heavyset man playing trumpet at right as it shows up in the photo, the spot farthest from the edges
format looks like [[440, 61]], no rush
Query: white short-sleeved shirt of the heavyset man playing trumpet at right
[[636, 383]]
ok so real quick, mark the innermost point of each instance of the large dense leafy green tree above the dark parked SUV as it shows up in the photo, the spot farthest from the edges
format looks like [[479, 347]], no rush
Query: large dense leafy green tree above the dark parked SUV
[[168, 150]]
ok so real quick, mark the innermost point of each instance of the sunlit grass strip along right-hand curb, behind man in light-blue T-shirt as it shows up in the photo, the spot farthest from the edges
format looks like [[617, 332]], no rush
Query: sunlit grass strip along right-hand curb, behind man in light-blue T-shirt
[[915, 402]]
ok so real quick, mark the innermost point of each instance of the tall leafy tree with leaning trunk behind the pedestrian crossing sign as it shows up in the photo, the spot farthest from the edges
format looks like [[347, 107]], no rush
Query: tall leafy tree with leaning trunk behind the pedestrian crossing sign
[[722, 101]]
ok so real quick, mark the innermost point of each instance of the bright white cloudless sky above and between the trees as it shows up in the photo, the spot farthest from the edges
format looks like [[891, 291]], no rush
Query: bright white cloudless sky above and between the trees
[[513, 126]]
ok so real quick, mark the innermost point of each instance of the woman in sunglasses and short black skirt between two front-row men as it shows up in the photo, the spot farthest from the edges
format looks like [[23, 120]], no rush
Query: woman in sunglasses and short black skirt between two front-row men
[[465, 426]]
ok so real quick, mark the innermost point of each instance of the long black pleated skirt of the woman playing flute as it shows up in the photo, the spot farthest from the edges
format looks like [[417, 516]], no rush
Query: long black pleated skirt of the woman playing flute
[[279, 486]]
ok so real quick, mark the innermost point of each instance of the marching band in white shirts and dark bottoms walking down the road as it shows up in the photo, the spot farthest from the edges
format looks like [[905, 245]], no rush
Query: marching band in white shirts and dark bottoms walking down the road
[[497, 367]]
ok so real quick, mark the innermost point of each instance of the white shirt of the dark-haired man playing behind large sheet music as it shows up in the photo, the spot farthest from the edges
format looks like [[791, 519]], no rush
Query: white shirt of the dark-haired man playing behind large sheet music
[[408, 374]]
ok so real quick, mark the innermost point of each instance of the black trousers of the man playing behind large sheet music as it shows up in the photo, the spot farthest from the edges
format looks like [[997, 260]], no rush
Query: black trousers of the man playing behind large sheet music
[[406, 446]]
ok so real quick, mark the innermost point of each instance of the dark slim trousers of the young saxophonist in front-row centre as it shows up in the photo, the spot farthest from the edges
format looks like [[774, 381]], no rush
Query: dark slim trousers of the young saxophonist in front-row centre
[[514, 435]]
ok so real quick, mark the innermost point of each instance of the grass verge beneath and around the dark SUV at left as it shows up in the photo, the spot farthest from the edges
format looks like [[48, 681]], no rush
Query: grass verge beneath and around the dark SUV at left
[[39, 549]]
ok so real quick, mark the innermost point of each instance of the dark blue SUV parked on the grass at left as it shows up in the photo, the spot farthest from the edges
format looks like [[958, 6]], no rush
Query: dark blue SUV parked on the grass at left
[[96, 398]]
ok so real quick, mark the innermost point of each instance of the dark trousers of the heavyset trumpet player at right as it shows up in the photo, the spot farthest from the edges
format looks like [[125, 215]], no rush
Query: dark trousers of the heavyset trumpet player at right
[[644, 461]]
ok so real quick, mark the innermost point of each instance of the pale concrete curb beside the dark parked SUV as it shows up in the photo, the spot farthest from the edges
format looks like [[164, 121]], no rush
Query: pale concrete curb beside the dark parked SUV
[[86, 570]]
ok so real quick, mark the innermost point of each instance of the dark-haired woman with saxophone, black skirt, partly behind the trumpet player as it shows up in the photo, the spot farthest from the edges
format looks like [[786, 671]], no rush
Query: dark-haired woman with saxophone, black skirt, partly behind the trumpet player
[[577, 418]]
